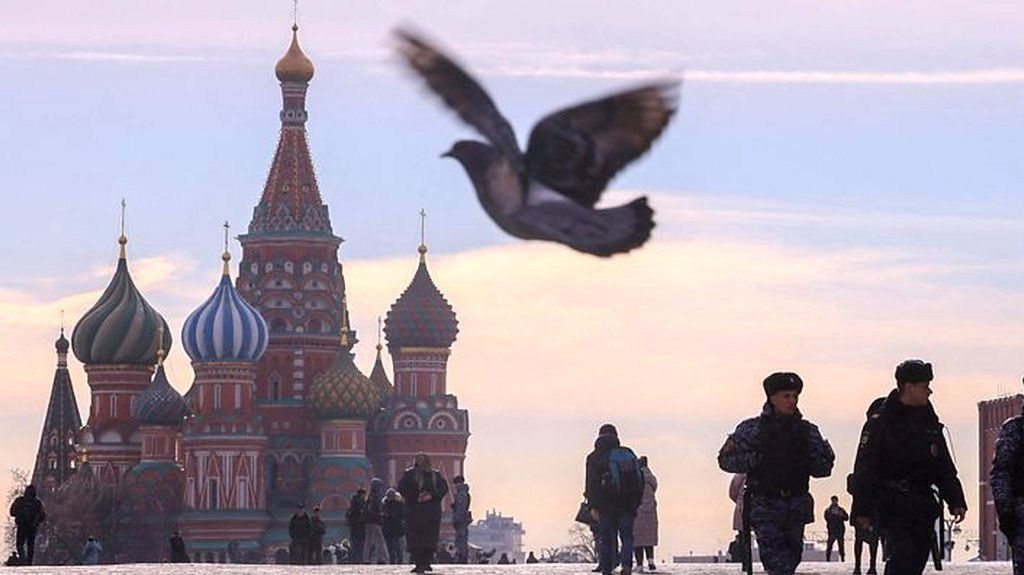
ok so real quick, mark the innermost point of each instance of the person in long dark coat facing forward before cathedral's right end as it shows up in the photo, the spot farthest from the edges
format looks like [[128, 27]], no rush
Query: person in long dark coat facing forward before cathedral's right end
[[423, 489]]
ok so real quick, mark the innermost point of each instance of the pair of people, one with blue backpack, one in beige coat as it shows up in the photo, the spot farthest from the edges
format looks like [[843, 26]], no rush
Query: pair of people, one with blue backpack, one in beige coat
[[620, 493]]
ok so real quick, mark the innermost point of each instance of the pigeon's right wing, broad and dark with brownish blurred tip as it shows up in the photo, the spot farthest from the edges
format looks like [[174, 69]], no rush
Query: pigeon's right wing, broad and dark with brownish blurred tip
[[577, 151]]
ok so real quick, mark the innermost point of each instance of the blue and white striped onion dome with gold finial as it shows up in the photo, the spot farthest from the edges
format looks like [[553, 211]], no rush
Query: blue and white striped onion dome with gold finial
[[226, 328]]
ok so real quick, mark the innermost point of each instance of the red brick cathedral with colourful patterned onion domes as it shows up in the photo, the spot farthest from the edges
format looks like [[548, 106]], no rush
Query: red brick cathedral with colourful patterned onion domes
[[278, 415]]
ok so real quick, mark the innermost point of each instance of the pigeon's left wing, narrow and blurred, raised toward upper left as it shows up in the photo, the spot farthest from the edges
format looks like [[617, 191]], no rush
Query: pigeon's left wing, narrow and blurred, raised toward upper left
[[461, 93]]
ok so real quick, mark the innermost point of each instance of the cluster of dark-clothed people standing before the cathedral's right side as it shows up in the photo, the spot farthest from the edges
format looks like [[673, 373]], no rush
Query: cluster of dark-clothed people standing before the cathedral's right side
[[385, 524]]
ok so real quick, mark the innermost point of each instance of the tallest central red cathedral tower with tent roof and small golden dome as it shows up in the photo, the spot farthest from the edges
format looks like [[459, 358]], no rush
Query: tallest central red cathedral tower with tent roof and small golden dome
[[291, 274]]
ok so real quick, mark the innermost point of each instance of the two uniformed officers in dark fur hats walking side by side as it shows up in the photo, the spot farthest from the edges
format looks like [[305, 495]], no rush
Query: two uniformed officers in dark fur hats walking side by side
[[903, 473]]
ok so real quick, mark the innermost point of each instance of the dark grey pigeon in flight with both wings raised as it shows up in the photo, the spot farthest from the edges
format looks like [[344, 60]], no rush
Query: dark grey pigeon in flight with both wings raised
[[549, 193]]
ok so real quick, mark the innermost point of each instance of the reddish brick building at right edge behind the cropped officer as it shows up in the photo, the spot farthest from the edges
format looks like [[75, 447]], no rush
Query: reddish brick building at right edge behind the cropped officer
[[992, 415]]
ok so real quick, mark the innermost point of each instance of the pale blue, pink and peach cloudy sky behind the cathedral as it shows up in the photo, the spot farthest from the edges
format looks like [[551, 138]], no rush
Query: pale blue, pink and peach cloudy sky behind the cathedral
[[839, 192]]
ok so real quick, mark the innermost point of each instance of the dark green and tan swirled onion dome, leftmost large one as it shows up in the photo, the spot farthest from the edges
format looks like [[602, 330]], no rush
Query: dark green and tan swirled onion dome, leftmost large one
[[121, 328]]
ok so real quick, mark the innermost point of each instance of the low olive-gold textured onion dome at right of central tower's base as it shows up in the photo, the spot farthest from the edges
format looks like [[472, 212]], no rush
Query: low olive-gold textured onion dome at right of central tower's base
[[343, 392]]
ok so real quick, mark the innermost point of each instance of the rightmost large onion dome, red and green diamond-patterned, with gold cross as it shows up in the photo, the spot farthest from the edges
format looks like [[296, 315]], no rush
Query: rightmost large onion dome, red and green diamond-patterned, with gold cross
[[421, 318]]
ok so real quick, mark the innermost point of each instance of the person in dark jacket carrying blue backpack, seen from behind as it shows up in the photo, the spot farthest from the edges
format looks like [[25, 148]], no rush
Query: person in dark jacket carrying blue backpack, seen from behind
[[614, 490]]
